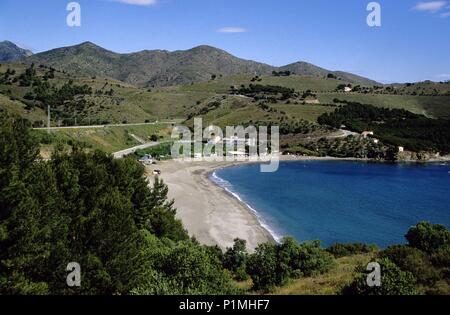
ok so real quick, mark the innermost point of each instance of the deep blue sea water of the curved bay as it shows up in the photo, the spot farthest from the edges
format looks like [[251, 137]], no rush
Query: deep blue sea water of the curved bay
[[340, 201]]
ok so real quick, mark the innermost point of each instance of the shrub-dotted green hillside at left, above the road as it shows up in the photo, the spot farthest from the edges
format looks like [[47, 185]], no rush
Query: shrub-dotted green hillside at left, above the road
[[107, 101]]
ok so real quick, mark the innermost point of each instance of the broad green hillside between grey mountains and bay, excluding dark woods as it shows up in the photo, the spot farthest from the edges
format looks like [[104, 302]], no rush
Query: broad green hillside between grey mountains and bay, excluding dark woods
[[290, 101]]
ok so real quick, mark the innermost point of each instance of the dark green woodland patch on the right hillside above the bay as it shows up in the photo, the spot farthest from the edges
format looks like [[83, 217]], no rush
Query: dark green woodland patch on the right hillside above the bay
[[393, 126]]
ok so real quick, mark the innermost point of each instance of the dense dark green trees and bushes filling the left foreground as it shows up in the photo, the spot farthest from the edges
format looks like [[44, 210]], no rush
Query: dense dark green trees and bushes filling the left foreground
[[97, 211]]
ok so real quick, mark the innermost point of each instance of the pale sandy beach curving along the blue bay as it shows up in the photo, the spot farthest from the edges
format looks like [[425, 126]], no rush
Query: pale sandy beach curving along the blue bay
[[208, 212]]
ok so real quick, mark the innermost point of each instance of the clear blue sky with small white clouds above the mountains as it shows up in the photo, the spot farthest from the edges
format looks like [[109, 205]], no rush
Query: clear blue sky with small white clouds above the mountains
[[412, 44]]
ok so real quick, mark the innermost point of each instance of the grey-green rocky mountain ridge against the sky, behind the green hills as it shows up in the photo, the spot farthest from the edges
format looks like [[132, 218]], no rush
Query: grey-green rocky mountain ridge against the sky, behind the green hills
[[153, 68]]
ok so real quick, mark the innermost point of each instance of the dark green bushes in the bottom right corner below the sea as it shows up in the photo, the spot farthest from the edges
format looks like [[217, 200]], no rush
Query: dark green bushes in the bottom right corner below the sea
[[420, 267]]
